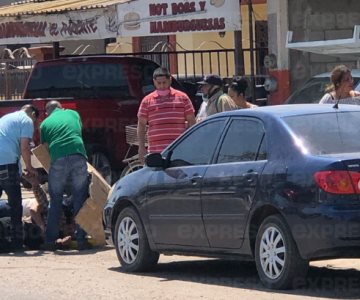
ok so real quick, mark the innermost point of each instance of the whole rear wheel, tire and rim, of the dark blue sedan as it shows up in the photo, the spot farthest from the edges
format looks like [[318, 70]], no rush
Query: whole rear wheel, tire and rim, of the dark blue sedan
[[277, 258]]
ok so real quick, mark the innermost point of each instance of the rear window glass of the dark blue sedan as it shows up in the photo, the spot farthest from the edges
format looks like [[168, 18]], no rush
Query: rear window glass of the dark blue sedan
[[328, 133]]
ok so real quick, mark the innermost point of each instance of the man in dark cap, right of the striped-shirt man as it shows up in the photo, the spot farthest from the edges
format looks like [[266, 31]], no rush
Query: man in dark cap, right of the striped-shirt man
[[214, 98]]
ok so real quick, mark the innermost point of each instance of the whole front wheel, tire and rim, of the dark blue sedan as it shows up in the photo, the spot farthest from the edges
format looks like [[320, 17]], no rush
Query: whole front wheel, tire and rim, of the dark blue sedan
[[131, 243]]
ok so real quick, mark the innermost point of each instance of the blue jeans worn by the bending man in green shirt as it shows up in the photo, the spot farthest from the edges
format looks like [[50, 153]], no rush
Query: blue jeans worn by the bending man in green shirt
[[74, 169]]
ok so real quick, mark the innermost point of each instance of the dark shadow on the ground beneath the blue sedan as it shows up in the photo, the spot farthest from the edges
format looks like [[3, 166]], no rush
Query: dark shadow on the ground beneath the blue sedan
[[320, 282]]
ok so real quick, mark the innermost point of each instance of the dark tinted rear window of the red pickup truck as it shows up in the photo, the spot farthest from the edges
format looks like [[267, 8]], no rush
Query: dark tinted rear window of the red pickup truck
[[76, 80]]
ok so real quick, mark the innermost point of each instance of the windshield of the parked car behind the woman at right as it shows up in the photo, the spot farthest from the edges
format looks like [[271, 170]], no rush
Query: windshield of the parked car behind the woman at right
[[313, 90]]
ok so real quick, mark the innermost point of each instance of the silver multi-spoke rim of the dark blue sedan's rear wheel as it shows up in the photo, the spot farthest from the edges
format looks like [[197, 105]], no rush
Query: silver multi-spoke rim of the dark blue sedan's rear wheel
[[272, 252]]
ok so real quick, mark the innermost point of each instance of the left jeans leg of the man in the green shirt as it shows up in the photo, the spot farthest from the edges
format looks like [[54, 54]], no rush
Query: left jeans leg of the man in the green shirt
[[58, 172]]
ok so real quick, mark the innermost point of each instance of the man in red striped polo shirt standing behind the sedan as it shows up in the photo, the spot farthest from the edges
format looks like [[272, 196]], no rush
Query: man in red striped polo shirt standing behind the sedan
[[166, 111]]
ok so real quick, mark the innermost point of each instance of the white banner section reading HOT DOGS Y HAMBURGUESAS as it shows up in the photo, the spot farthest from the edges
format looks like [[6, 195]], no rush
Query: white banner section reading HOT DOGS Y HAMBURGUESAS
[[162, 17]]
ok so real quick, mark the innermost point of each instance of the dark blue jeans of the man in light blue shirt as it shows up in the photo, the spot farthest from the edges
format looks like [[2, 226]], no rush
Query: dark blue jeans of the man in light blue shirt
[[10, 183]]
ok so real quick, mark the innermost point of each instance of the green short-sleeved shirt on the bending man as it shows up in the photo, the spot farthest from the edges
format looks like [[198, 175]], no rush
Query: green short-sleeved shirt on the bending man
[[62, 132]]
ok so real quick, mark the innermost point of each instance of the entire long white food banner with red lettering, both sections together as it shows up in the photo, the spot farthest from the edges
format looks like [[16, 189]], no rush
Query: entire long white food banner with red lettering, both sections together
[[126, 19]]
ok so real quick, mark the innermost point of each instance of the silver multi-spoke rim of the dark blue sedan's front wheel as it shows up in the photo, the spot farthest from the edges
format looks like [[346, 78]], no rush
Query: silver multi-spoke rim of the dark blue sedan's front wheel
[[128, 240]]
